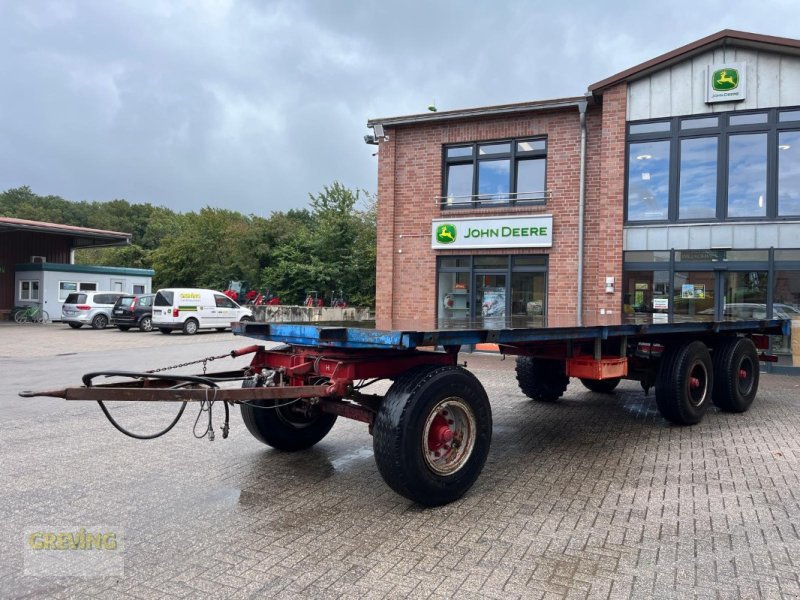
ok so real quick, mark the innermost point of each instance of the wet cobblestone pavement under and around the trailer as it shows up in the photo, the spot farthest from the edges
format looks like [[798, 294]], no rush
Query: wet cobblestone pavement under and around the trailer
[[595, 496]]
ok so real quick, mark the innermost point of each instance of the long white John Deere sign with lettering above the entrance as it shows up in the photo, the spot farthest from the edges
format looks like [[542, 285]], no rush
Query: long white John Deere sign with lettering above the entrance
[[493, 232]]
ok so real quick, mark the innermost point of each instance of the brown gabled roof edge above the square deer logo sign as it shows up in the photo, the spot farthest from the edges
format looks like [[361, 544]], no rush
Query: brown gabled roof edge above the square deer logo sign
[[742, 39]]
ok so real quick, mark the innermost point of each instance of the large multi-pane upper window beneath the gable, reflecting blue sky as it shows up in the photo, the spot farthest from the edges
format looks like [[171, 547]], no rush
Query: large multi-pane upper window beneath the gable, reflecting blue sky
[[731, 166]]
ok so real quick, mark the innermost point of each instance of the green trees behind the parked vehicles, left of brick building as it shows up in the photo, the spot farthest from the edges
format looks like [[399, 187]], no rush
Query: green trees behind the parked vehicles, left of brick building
[[329, 247]]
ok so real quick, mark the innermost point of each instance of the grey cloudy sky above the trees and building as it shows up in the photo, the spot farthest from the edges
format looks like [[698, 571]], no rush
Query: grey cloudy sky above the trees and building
[[252, 104]]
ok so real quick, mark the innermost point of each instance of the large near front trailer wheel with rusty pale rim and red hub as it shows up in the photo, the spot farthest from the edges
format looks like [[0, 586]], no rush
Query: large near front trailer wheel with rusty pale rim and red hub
[[432, 434]]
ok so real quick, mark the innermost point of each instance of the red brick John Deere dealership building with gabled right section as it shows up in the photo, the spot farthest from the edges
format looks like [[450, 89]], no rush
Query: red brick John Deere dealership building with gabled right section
[[682, 174]]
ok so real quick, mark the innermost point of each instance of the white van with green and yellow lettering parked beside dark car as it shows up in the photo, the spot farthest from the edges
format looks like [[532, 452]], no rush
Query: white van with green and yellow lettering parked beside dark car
[[192, 309]]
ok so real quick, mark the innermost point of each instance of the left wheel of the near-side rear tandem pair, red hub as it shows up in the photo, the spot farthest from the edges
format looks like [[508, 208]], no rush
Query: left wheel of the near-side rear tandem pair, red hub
[[684, 383]]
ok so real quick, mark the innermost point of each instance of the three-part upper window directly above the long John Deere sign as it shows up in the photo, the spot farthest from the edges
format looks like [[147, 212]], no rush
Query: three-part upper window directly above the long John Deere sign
[[495, 173]]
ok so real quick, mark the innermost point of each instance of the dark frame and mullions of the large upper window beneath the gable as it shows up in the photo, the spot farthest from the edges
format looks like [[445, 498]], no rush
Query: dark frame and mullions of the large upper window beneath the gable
[[723, 131]]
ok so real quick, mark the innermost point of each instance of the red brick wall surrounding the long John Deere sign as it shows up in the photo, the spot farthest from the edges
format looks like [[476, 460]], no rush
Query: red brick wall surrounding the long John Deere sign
[[410, 179]]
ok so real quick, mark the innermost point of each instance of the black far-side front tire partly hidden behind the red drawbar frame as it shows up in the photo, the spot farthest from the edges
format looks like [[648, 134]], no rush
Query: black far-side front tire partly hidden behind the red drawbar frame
[[283, 429]]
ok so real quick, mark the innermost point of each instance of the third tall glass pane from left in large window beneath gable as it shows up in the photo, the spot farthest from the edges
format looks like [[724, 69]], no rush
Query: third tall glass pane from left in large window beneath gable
[[747, 175]]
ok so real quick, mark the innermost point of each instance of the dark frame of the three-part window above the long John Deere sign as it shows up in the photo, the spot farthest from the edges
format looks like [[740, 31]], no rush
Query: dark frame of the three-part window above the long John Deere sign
[[514, 157]]
